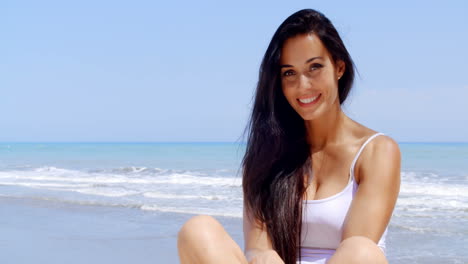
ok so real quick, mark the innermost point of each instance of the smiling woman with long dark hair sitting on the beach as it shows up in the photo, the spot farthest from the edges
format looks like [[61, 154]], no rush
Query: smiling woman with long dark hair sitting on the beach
[[318, 186]]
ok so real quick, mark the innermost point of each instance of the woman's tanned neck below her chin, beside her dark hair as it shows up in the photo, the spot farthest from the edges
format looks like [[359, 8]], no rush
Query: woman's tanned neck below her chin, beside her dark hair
[[326, 129]]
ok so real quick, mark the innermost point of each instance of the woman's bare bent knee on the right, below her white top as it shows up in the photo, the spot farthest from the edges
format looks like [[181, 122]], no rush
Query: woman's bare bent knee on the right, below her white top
[[358, 249]]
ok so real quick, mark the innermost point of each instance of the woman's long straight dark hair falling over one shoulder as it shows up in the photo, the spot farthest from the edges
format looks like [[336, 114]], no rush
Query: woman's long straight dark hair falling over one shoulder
[[277, 153]]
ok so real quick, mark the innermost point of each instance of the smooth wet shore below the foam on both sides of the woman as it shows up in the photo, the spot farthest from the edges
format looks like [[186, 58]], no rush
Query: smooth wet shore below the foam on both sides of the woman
[[41, 231]]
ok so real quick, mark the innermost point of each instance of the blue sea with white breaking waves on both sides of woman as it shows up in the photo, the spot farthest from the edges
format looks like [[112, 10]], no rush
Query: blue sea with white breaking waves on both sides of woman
[[429, 223]]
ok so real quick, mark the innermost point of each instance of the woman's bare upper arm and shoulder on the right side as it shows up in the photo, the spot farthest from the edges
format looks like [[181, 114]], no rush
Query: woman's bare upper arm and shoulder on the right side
[[379, 185]]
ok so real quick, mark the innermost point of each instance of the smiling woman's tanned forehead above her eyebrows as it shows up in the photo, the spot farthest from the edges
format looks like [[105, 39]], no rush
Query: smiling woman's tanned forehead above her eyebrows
[[298, 49]]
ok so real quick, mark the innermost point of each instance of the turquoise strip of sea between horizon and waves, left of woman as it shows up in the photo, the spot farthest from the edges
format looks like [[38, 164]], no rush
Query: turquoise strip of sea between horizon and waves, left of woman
[[109, 155]]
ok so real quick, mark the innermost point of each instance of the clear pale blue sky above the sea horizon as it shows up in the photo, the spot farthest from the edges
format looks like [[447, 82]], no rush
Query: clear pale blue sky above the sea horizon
[[186, 70]]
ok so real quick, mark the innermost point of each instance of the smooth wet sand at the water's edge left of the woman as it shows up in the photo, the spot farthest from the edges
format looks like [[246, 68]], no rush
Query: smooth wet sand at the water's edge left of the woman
[[35, 231]]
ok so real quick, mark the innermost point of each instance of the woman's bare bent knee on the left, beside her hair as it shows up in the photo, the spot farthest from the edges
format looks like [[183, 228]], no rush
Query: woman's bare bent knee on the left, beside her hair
[[202, 239]]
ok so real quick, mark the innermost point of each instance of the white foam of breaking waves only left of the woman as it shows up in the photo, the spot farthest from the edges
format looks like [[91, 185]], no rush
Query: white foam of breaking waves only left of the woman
[[133, 190]]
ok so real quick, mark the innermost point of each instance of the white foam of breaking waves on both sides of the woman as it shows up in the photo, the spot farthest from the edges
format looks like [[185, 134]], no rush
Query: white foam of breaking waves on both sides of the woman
[[145, 188]]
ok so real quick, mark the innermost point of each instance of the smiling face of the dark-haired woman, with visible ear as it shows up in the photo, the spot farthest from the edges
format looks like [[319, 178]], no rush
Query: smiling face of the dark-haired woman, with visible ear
[[309, 77]]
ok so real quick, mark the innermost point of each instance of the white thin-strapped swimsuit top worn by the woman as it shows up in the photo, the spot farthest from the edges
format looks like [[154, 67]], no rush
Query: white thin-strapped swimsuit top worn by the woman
[[322, 221]]
